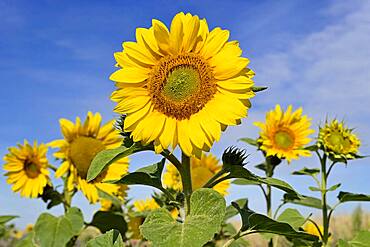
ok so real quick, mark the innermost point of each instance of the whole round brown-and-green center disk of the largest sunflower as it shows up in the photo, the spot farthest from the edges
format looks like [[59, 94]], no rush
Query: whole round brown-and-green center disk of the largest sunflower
[[181, 86]]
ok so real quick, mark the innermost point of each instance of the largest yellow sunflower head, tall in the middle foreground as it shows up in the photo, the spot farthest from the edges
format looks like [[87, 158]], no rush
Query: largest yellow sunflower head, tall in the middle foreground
[[191, 82]]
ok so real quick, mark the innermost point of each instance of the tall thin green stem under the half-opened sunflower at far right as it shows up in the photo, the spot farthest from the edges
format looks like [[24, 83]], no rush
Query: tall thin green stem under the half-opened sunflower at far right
[[325, 218]]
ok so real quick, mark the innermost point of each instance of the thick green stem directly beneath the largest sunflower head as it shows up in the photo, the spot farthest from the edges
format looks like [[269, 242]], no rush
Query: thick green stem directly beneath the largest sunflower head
[[186, 180]]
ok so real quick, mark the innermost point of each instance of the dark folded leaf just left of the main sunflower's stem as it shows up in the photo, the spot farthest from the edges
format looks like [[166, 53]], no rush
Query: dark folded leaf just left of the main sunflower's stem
[[149, 175]]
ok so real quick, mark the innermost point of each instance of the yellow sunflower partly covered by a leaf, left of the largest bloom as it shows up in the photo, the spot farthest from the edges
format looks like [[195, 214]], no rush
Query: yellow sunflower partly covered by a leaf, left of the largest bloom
[[78, 148]]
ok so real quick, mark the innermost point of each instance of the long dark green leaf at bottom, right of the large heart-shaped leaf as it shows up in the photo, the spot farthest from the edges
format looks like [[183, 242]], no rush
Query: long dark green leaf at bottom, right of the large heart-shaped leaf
[[252, 221]]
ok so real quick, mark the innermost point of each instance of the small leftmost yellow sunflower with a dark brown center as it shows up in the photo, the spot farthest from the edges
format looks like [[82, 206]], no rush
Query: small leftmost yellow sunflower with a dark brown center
[[27, 169]]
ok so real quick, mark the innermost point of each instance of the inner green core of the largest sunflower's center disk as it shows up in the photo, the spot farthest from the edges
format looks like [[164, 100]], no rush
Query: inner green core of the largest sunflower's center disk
[[181, 83]]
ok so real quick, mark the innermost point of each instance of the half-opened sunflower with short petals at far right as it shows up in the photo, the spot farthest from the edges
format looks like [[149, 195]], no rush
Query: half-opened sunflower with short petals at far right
[[338, 140]]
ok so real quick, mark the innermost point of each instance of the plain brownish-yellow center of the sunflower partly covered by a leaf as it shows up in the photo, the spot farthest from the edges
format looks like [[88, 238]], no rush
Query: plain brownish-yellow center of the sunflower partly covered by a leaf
[[83, 151]]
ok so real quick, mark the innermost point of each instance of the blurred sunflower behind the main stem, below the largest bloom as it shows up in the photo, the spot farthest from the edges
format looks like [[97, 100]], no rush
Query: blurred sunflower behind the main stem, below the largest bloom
[[201, 171]]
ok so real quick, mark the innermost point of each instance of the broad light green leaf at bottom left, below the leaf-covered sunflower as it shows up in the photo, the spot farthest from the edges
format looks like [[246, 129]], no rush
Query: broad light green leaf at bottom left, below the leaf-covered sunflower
[[57, 231]]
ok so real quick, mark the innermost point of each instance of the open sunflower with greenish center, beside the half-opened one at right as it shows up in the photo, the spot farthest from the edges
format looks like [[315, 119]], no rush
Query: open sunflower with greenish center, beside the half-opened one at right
[[285, 134]]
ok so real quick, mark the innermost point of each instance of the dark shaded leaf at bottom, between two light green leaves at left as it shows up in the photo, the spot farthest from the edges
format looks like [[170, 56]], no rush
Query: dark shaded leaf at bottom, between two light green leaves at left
[[106, 221]]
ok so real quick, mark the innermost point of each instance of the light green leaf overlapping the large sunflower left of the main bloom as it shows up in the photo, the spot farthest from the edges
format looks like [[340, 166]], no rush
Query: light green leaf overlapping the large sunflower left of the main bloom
[[107, 157]]
